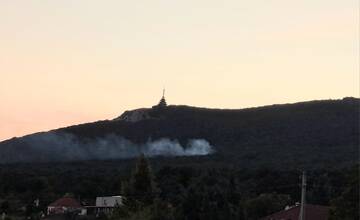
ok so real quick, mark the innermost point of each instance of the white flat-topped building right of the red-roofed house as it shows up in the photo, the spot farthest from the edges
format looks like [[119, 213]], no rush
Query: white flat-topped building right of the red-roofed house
[[105, 205]]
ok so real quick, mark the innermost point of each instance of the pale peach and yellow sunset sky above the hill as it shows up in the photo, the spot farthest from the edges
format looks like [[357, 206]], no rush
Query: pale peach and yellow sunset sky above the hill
[[69, 62]]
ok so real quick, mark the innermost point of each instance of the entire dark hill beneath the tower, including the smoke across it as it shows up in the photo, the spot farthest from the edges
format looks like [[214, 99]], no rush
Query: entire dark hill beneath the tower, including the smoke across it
[[313, 134]]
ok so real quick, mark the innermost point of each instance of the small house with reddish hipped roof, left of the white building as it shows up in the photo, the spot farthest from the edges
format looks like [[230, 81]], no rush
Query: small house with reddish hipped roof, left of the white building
[[64, 205]]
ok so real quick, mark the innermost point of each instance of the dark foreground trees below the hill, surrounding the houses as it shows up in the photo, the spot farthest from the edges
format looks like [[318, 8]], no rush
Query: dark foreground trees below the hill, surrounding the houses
[[178, 192]]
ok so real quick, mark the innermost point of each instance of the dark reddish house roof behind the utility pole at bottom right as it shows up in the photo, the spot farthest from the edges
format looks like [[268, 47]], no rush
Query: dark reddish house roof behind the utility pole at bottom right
[[312, 212]]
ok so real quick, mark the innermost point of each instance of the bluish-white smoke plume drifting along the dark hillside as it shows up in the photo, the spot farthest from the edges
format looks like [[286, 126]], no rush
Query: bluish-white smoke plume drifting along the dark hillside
[[52, 146]]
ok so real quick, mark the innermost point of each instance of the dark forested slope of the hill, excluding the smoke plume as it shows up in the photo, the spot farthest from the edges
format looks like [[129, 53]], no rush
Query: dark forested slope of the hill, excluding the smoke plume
[[316, 133]]
